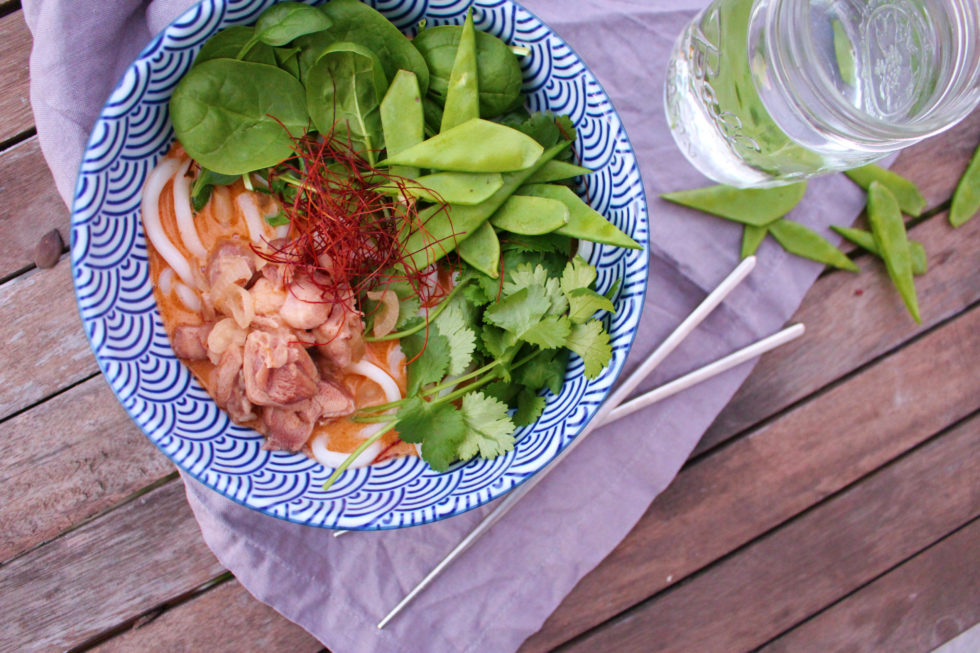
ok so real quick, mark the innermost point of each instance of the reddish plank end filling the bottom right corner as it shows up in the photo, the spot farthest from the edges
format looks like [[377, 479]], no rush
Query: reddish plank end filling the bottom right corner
[[918, 606]]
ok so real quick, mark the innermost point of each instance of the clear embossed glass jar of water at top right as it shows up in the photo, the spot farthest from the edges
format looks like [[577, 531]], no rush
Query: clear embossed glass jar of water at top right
[[764, 92]]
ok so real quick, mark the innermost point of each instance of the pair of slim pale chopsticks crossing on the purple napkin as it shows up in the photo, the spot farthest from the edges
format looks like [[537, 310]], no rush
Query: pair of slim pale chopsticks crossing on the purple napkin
[[616, 407]]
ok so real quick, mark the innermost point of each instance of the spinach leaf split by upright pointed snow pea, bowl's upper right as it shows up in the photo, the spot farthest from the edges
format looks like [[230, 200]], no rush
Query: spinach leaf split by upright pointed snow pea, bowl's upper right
[[498, 71]]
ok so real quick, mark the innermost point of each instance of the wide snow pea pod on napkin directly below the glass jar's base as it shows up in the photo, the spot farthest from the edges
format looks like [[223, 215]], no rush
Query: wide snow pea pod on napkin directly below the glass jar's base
[[754, 206]]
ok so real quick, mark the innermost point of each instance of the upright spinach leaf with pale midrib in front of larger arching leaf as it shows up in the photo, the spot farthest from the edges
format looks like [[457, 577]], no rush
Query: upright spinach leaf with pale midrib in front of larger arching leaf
[[344, 89]]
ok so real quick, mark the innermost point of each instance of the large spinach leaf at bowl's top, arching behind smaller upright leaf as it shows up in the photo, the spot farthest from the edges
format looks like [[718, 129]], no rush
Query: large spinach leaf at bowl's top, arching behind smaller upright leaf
[[356, 22]]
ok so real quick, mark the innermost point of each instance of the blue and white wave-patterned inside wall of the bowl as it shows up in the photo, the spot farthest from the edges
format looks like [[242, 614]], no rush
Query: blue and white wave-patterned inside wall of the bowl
[[121, 320]]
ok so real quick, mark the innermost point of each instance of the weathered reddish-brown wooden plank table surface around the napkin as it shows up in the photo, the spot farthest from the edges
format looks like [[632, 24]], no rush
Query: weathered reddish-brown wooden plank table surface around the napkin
[[833, 505]]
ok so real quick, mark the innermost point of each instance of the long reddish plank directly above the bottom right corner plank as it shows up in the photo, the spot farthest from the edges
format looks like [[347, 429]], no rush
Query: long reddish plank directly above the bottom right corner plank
[[795, 571]]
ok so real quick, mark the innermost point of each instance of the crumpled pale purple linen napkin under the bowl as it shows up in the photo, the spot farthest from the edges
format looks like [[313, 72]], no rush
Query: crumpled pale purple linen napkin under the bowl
[[507, 585]]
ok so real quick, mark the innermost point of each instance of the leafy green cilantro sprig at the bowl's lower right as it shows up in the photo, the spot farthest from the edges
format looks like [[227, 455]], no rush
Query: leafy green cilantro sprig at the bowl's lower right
[[484, 356]]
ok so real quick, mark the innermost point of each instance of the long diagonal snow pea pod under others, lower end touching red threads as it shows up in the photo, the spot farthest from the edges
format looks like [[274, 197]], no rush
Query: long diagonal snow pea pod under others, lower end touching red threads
[[443, 227]]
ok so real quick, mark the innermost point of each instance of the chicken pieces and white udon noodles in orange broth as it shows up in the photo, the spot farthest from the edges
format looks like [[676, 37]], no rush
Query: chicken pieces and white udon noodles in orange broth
[[265, 340]]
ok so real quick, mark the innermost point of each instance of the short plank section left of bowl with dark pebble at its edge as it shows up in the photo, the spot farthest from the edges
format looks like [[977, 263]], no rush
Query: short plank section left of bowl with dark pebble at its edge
[[31, 205]]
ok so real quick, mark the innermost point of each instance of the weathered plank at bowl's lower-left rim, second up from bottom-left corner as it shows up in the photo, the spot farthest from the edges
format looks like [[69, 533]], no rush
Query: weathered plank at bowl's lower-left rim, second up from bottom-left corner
[[92, 455]]
